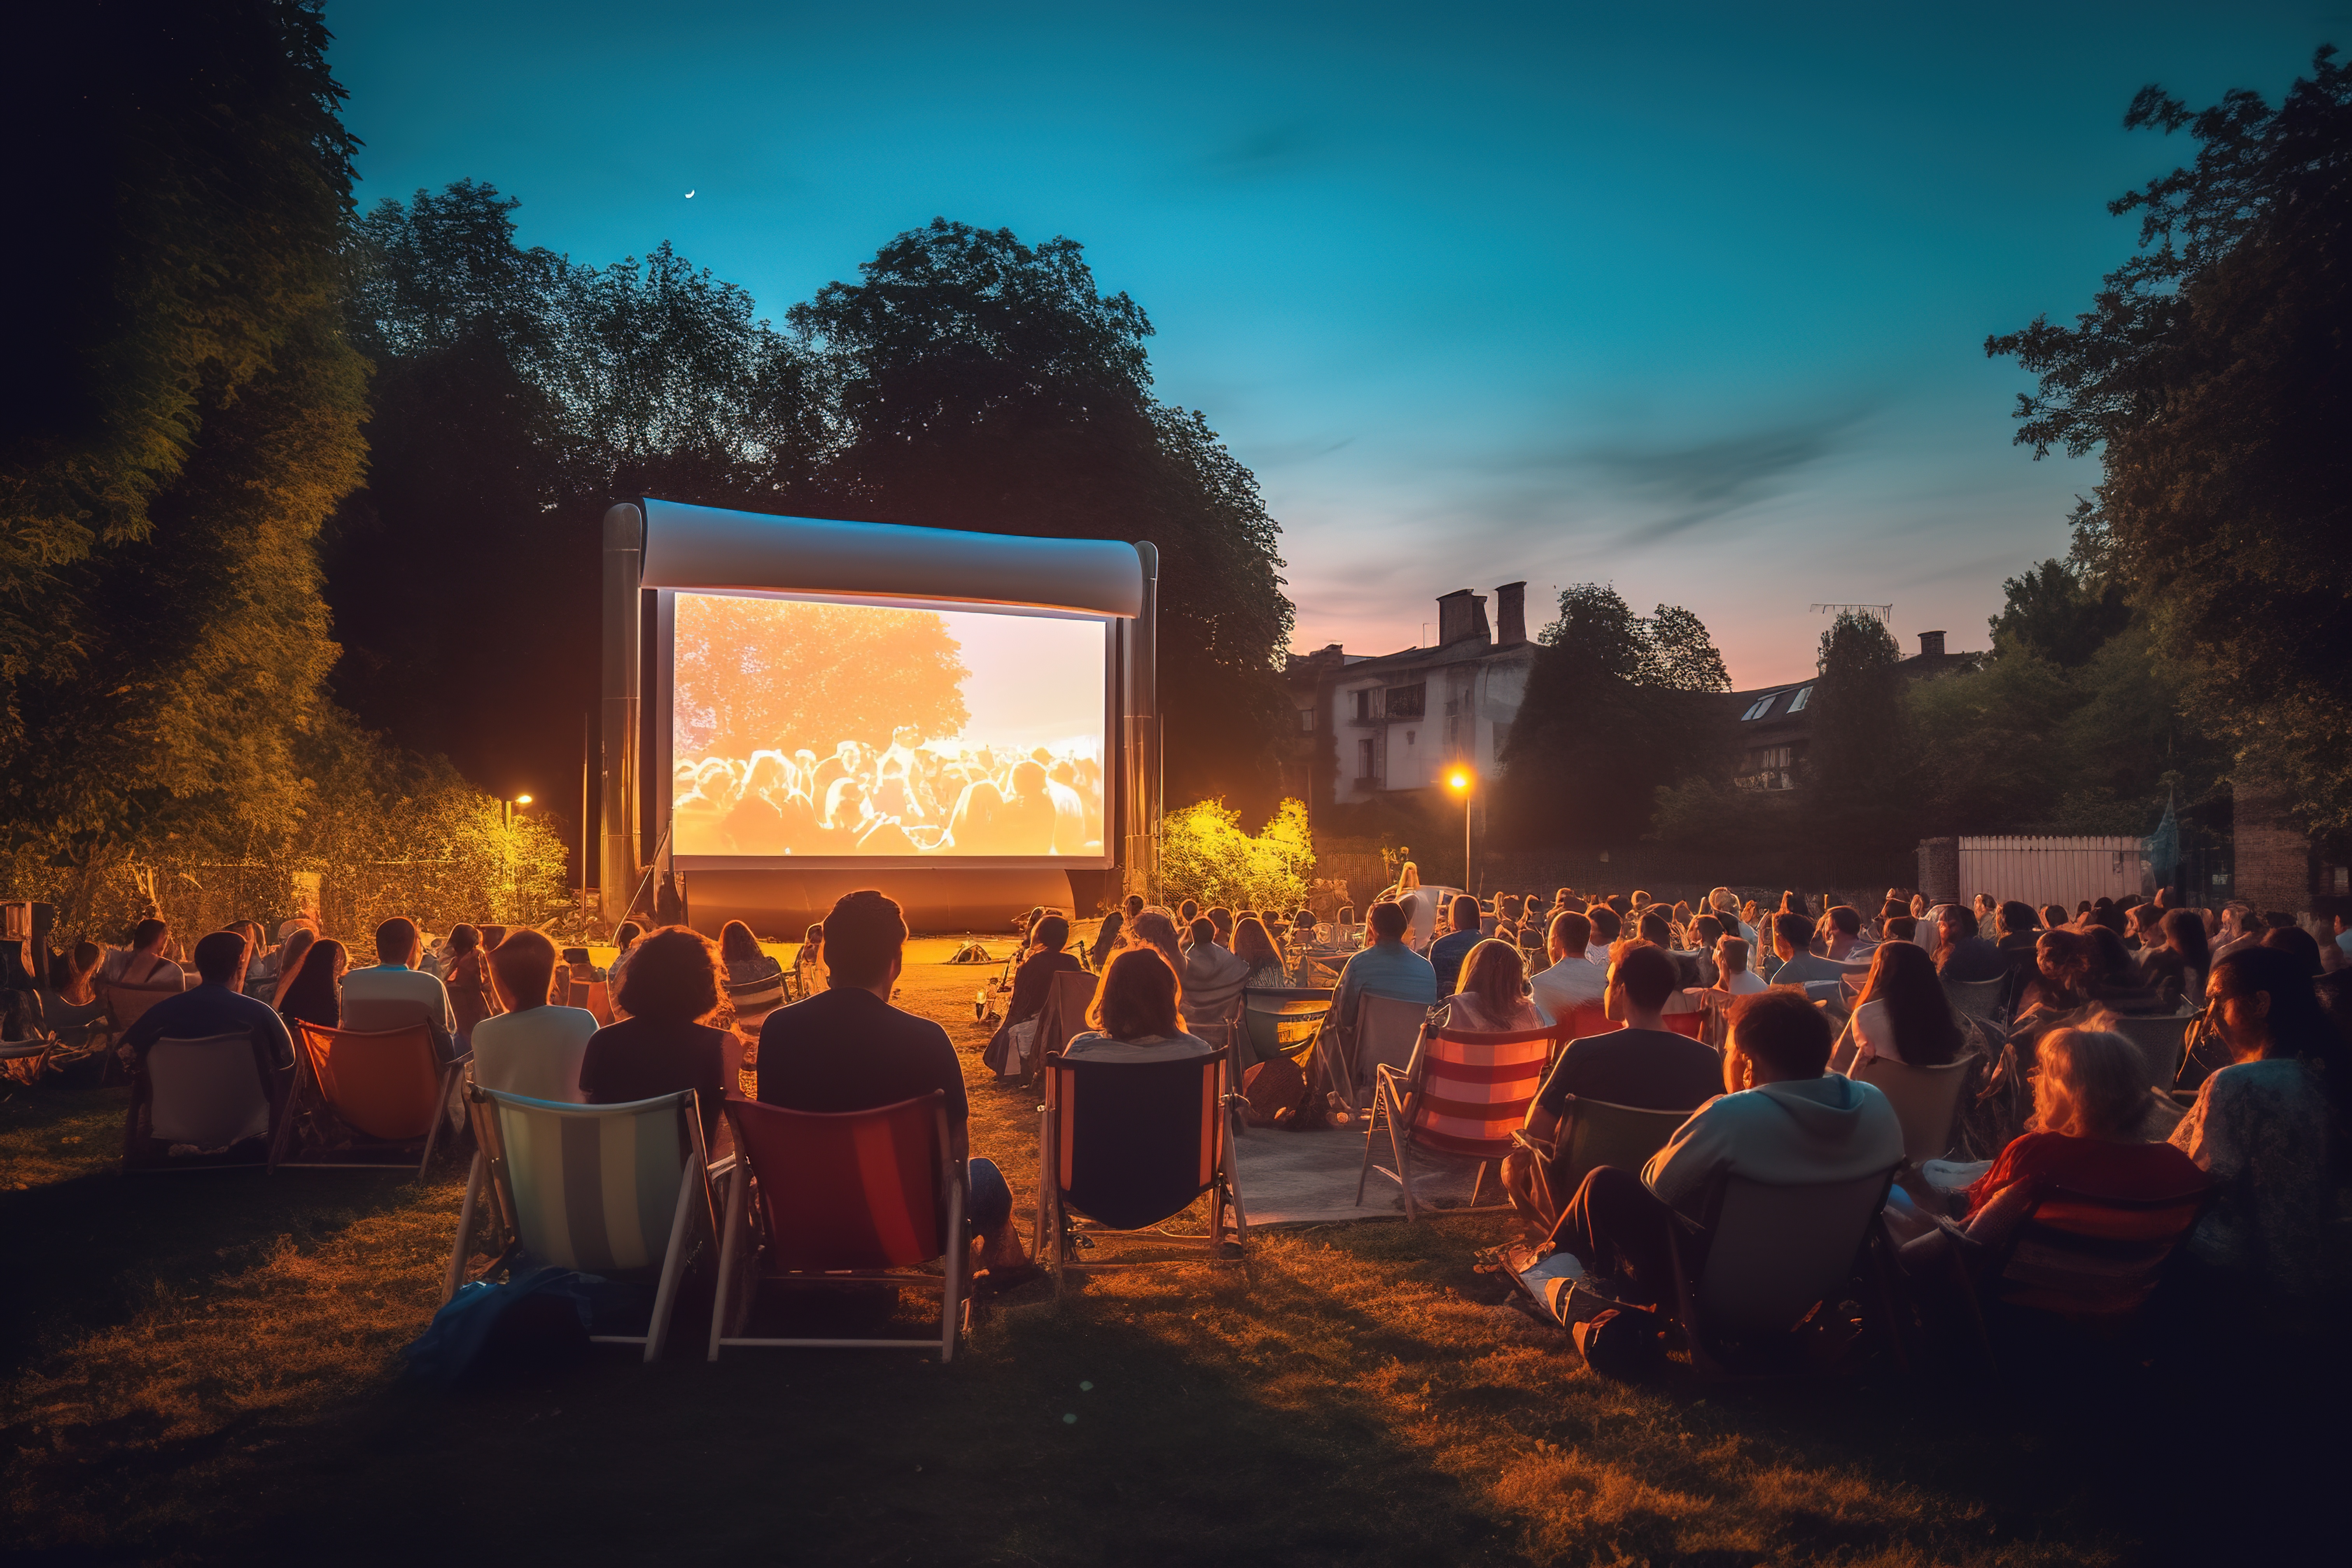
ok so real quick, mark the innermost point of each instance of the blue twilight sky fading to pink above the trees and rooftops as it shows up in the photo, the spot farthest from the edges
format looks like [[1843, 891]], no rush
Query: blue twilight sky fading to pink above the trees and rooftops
[[1690, 302]]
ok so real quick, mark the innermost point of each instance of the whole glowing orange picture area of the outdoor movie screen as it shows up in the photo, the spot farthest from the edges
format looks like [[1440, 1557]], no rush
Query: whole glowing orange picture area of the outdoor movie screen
[[820, 730]]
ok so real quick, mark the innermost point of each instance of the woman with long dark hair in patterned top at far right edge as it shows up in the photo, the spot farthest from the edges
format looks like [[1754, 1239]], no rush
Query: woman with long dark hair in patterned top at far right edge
[[2271, 1127]]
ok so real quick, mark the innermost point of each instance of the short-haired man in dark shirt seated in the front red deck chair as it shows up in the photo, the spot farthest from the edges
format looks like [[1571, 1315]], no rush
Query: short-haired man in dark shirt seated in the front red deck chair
[[850, 1050]]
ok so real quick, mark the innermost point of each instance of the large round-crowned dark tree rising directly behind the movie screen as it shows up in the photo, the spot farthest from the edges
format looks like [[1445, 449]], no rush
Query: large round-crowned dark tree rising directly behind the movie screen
[[987, 384]]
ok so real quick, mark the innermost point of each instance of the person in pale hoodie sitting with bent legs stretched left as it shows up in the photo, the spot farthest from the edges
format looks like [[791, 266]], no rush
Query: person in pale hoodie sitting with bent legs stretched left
[[1782, 1120]]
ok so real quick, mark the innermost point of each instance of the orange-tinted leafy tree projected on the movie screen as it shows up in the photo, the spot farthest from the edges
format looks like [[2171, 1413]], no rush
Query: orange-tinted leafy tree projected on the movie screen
[[768, 674]]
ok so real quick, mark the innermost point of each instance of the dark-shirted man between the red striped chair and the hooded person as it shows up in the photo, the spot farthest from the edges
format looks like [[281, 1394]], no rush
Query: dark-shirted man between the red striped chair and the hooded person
[[1643, 1066]]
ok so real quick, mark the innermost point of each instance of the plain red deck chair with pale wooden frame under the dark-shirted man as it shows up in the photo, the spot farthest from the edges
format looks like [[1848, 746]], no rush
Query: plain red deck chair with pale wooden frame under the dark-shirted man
[[843, 1200]]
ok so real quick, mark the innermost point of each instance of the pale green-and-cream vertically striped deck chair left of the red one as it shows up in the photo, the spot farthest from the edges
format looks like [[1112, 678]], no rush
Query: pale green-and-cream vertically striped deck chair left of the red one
[[599, 1188]]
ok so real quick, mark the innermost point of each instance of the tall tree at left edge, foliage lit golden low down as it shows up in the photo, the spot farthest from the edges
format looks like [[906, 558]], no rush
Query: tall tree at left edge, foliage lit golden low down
[[203, 424]]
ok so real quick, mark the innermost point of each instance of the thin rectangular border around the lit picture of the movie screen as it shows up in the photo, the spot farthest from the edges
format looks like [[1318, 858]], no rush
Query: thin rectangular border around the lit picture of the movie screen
[[662, 725]]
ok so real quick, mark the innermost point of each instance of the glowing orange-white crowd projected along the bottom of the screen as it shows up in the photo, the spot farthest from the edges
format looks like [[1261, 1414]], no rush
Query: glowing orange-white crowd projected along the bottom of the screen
[[909, 798]]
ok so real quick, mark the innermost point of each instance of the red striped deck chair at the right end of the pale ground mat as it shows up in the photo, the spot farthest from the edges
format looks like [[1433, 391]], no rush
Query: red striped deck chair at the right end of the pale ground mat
[[1466, 1094]]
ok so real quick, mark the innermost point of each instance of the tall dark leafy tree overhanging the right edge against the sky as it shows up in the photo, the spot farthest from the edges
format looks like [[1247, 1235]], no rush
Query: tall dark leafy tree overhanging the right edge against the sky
[[2212, 375]]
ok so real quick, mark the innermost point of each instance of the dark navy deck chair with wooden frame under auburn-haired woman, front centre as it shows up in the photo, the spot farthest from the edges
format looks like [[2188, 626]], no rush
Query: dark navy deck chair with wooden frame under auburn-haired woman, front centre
[[1130, 1146]]
